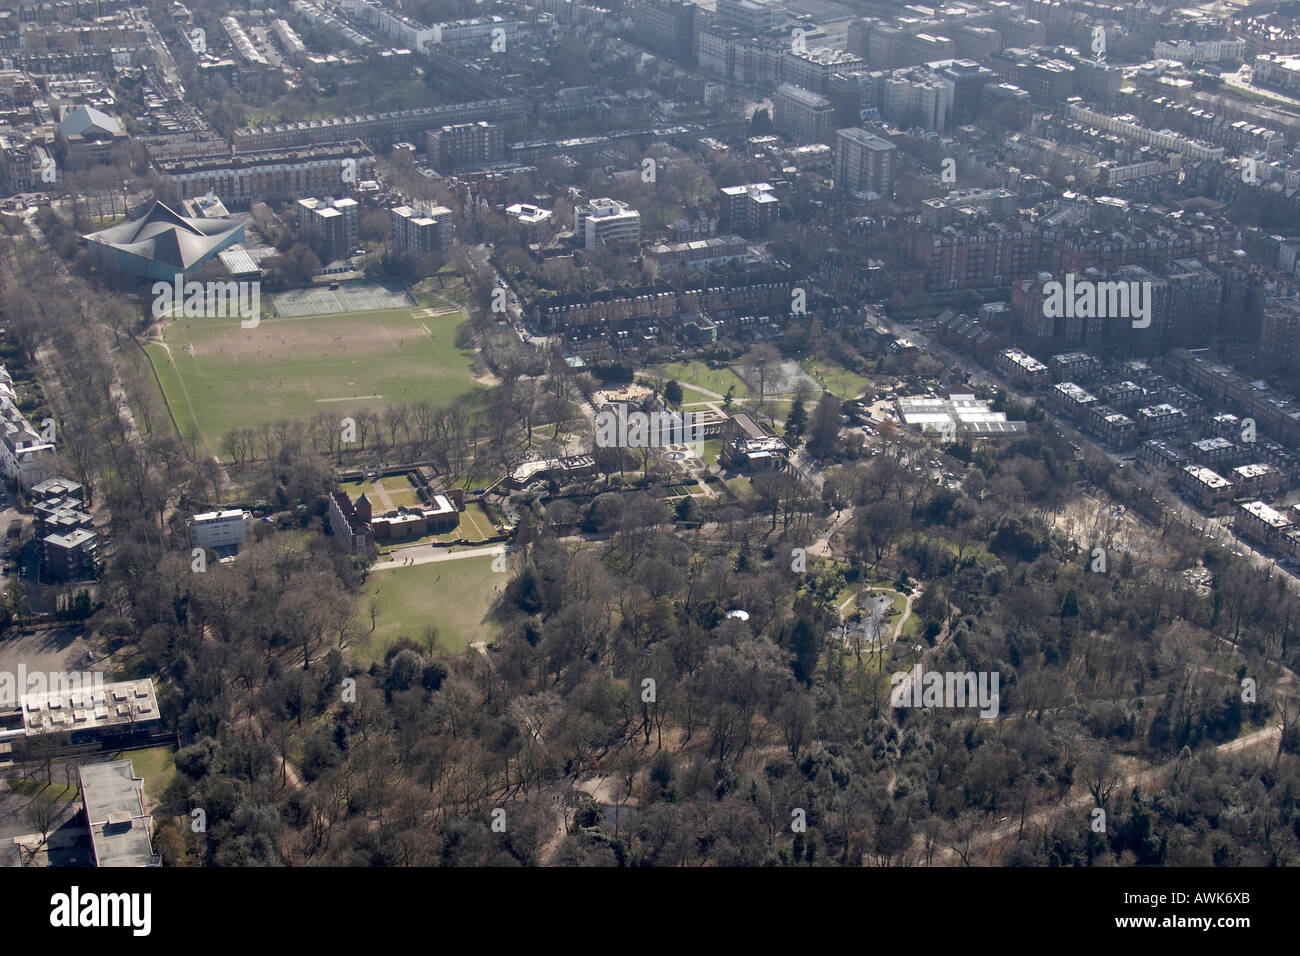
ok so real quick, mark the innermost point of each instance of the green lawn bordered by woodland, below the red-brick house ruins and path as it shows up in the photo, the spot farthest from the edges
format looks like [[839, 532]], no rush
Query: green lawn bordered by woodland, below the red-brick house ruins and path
[[453, 596]]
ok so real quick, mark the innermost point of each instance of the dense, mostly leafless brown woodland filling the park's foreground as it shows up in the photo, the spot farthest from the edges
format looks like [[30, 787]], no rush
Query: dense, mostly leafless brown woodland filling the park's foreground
[[300, 756]]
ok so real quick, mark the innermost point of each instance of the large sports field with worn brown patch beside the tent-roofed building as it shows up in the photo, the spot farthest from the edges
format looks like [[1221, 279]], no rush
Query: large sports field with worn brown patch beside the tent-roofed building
[[222, 377]]
